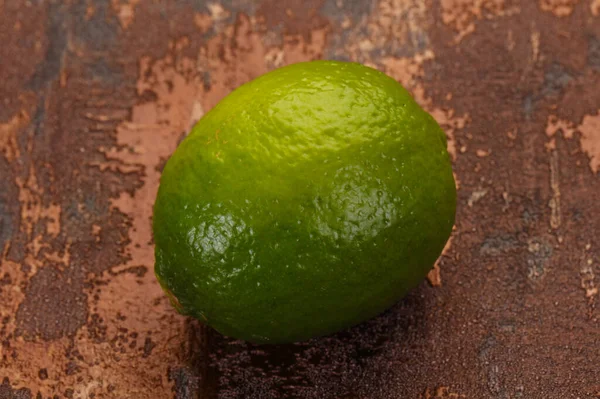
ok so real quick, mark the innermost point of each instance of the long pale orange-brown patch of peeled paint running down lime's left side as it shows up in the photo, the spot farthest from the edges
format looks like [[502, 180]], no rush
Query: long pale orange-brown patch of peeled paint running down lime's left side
[[143, 143]]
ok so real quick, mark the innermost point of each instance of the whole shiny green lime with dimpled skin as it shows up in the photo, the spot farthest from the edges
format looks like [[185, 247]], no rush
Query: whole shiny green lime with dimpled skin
[[307, 201]]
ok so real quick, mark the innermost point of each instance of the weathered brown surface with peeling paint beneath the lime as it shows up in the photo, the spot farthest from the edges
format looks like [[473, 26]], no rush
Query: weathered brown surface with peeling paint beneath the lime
[[95, 95]]
